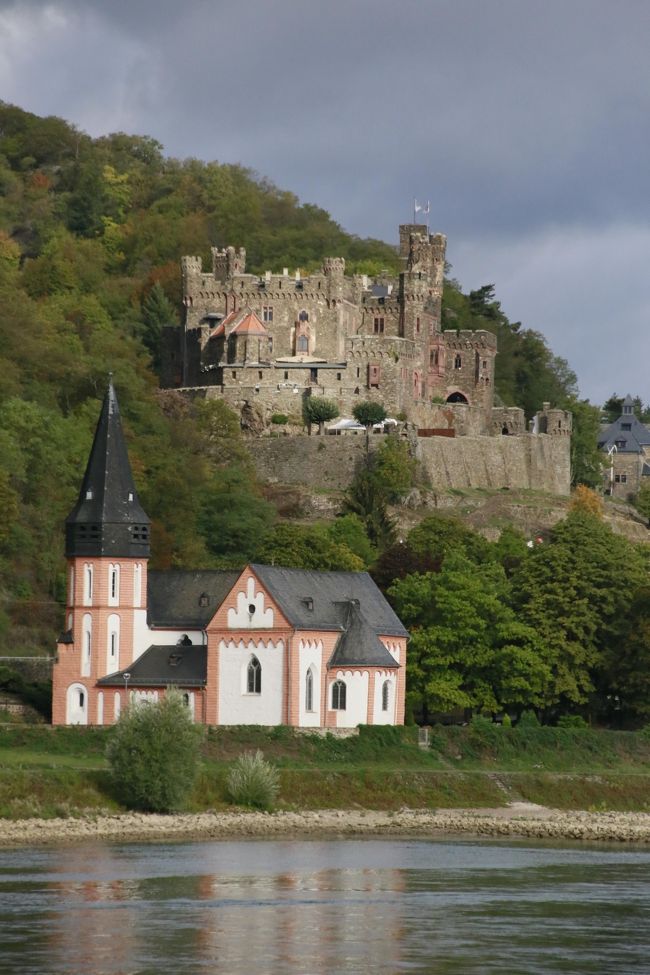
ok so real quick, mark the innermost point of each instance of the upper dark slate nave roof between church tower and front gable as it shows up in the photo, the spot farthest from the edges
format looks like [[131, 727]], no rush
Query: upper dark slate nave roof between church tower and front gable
[[175, 596]]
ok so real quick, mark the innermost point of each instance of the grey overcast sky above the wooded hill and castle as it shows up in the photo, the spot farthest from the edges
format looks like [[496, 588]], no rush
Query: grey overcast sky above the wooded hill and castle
[[524, 122]]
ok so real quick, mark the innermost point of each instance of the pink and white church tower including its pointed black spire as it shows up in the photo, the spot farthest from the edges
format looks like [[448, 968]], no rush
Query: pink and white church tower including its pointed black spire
[[107, 549]]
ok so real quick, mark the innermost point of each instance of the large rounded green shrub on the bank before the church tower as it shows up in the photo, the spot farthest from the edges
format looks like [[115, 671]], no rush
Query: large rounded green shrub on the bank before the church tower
[[154, 753]]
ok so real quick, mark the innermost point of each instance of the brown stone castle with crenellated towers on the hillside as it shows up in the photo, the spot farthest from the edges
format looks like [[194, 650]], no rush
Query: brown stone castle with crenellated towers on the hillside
[[264, 343]]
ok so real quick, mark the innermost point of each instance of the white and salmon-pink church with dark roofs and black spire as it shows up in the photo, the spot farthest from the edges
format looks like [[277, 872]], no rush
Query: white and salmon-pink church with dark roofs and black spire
[[262, 645]]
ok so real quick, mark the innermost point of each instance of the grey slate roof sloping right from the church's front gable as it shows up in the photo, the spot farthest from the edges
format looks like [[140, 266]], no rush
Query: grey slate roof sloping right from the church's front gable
[[330, 594]]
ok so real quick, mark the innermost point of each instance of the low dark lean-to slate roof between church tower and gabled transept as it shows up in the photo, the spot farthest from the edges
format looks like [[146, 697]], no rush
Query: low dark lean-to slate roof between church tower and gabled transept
[[180, 666]]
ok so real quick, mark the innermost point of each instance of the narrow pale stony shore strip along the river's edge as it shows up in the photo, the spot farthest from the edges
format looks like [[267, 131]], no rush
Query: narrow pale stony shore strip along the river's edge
[[519, 819]]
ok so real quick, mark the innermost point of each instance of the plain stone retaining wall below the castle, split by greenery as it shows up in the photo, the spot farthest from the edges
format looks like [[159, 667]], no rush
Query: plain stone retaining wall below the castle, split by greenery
[[535, 462]]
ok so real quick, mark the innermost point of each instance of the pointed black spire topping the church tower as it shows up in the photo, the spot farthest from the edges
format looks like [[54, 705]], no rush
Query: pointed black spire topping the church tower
[[108, 518]]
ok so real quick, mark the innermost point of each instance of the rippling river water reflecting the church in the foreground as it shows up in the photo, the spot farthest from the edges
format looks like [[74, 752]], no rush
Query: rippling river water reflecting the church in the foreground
[[335, 907]]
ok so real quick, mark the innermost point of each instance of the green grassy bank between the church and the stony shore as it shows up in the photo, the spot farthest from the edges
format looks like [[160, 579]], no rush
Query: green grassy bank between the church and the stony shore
[[53, 772]]
